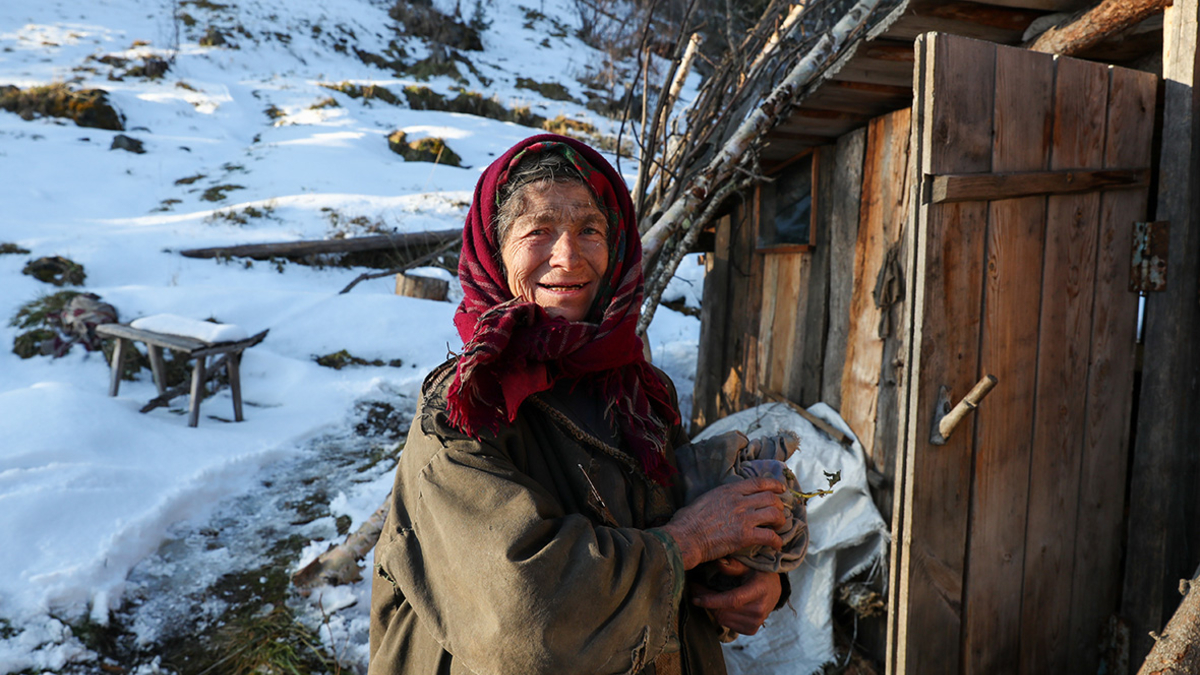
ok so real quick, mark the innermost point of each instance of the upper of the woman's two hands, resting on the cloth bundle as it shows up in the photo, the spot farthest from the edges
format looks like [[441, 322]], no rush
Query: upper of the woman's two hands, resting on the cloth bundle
[[728, 519]]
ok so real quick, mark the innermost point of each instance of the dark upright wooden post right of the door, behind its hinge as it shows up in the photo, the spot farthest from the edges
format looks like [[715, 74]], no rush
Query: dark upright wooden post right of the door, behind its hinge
[[1165, 524]]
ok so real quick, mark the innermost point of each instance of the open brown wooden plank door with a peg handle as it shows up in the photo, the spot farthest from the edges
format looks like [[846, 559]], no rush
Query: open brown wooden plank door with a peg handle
[[1009, 545]]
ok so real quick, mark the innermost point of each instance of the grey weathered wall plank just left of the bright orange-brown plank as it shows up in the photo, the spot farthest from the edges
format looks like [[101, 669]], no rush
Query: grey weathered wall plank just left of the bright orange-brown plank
[[844, 202]]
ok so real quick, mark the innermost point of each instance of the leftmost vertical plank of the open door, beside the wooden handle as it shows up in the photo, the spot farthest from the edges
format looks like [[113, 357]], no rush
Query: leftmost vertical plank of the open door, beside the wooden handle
[[947, 288]]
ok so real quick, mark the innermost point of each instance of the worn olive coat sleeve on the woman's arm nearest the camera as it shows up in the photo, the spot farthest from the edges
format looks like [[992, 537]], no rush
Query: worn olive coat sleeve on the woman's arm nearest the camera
[[506, 581]]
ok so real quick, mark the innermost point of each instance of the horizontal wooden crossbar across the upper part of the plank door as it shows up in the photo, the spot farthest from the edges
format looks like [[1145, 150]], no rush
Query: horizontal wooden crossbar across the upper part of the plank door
[[992, 187]]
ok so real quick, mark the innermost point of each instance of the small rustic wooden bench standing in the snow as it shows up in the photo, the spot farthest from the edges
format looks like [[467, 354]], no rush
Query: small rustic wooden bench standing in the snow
[[191, 349]]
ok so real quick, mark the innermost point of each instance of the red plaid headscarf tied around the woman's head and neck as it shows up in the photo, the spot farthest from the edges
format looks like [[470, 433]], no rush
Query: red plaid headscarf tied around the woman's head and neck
[[513, 349]]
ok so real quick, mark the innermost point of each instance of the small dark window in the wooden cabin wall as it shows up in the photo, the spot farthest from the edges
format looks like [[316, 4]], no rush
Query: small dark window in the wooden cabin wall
[[789, 207]]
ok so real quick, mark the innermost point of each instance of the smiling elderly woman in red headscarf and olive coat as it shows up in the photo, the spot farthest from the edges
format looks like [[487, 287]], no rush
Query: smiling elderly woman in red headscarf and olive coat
[[536, 523]]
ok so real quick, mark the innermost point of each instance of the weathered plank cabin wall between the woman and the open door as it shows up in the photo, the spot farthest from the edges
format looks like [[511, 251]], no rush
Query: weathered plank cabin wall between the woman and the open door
[[807, 324]]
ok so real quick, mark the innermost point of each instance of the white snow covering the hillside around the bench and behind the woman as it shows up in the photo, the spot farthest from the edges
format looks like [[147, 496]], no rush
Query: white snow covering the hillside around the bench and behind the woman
[[98, 501]]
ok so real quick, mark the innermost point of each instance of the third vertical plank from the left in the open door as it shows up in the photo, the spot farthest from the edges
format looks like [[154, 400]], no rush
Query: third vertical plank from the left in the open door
[[1064, 354]]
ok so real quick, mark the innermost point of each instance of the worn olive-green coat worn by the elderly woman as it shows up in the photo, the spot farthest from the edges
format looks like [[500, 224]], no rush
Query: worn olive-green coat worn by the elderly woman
[[535, 551]]
